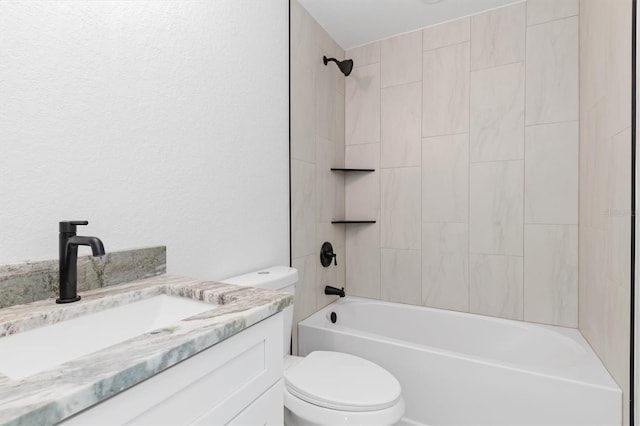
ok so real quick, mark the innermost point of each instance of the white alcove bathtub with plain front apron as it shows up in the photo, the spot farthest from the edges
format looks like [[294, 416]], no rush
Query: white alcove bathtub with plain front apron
[[465, 369]]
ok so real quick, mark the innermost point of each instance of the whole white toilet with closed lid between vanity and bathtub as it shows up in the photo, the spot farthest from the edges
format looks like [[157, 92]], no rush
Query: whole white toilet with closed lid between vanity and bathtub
[[328, 388]]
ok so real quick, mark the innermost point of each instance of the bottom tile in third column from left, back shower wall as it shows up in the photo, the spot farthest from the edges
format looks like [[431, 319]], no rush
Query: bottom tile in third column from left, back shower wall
[[445, 265]]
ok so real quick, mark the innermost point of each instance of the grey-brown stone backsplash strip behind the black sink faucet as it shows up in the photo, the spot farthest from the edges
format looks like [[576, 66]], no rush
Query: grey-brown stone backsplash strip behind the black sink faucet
[[30, 281]]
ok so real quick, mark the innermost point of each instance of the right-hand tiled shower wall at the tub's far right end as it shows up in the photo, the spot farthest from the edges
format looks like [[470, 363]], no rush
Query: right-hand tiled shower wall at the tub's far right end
[[605, 182]]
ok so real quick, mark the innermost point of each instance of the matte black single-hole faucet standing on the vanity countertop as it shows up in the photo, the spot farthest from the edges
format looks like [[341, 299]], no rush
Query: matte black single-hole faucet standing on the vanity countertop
[[69, 243]]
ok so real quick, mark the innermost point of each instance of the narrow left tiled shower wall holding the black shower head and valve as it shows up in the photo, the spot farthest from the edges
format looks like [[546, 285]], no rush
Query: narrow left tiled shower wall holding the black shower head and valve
[[317, 144]]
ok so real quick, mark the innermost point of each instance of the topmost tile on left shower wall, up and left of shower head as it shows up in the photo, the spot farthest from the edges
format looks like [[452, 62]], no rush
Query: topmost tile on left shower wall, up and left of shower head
[[302, 35]]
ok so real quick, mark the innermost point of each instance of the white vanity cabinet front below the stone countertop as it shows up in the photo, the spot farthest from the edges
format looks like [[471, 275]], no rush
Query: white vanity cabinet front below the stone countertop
[[237, 381]]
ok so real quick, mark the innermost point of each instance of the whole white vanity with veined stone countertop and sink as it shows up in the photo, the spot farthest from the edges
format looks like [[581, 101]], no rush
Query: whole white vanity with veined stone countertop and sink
[[216, 362]]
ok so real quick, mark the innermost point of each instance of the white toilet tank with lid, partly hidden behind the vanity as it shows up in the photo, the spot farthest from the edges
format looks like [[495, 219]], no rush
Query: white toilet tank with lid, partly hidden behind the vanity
[[278, 278]]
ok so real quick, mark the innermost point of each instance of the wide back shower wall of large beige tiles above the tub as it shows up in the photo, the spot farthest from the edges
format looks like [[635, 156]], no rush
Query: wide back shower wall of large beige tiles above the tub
[[472, 127]]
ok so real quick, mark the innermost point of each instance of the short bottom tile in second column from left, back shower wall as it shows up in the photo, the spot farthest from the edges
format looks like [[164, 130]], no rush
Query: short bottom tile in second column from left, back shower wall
[[400, 276]]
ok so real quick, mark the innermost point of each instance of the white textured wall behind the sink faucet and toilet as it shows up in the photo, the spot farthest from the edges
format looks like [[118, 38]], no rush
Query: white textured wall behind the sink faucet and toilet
[[159, 122]]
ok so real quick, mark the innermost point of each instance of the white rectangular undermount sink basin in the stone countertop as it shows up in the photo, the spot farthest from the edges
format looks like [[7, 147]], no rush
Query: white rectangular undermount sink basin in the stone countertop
[[30, 352]]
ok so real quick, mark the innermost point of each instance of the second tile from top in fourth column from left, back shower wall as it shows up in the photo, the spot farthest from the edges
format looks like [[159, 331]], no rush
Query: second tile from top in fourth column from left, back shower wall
[[497, 113]]
